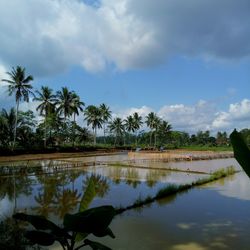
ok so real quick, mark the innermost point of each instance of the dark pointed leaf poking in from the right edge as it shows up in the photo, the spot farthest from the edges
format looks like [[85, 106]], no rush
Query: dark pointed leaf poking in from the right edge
[[241, 151]]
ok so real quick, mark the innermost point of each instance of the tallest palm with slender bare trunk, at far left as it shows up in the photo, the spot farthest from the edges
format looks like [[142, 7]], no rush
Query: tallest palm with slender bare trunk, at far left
[[20, 87]]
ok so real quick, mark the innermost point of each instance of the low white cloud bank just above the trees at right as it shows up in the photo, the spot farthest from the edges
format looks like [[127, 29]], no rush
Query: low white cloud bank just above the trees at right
[[201, 116]]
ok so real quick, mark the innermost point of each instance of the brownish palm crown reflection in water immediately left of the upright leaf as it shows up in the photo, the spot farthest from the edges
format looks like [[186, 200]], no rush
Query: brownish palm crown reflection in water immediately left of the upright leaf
[[66, 201]]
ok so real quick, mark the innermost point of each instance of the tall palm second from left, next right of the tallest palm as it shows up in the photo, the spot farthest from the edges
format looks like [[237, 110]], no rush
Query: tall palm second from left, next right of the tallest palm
[[46, 106]]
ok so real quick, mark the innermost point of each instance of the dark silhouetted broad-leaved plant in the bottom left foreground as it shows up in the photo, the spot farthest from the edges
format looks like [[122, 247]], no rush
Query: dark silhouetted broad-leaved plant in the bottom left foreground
[[76, 227]]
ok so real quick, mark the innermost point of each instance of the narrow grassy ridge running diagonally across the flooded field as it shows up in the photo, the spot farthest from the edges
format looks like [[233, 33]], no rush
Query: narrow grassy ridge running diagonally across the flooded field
[[173, 189]]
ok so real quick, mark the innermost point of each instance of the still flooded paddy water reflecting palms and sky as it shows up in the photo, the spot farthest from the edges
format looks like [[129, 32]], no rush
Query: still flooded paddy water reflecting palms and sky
[[214, 216]]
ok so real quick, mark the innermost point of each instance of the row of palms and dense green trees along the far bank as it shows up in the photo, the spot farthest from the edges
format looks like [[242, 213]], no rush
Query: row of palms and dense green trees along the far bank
[[58, 124]]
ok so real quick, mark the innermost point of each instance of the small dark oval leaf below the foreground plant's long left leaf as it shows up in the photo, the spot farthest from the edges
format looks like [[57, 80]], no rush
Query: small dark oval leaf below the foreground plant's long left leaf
[[41, 238]]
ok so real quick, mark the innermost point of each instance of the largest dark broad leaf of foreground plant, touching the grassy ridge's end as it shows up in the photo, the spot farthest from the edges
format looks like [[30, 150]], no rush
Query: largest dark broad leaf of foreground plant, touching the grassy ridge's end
[[91, 220]]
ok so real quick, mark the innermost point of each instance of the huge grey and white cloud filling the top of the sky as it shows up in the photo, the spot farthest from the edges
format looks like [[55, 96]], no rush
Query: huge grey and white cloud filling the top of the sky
[[48, 37]]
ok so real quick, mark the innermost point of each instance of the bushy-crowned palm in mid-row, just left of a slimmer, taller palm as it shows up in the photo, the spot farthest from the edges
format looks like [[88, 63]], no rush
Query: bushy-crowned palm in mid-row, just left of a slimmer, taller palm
[[93, 116]]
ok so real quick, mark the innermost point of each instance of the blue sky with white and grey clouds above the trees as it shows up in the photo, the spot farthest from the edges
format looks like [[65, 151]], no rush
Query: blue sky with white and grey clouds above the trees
[[186, 60]]
